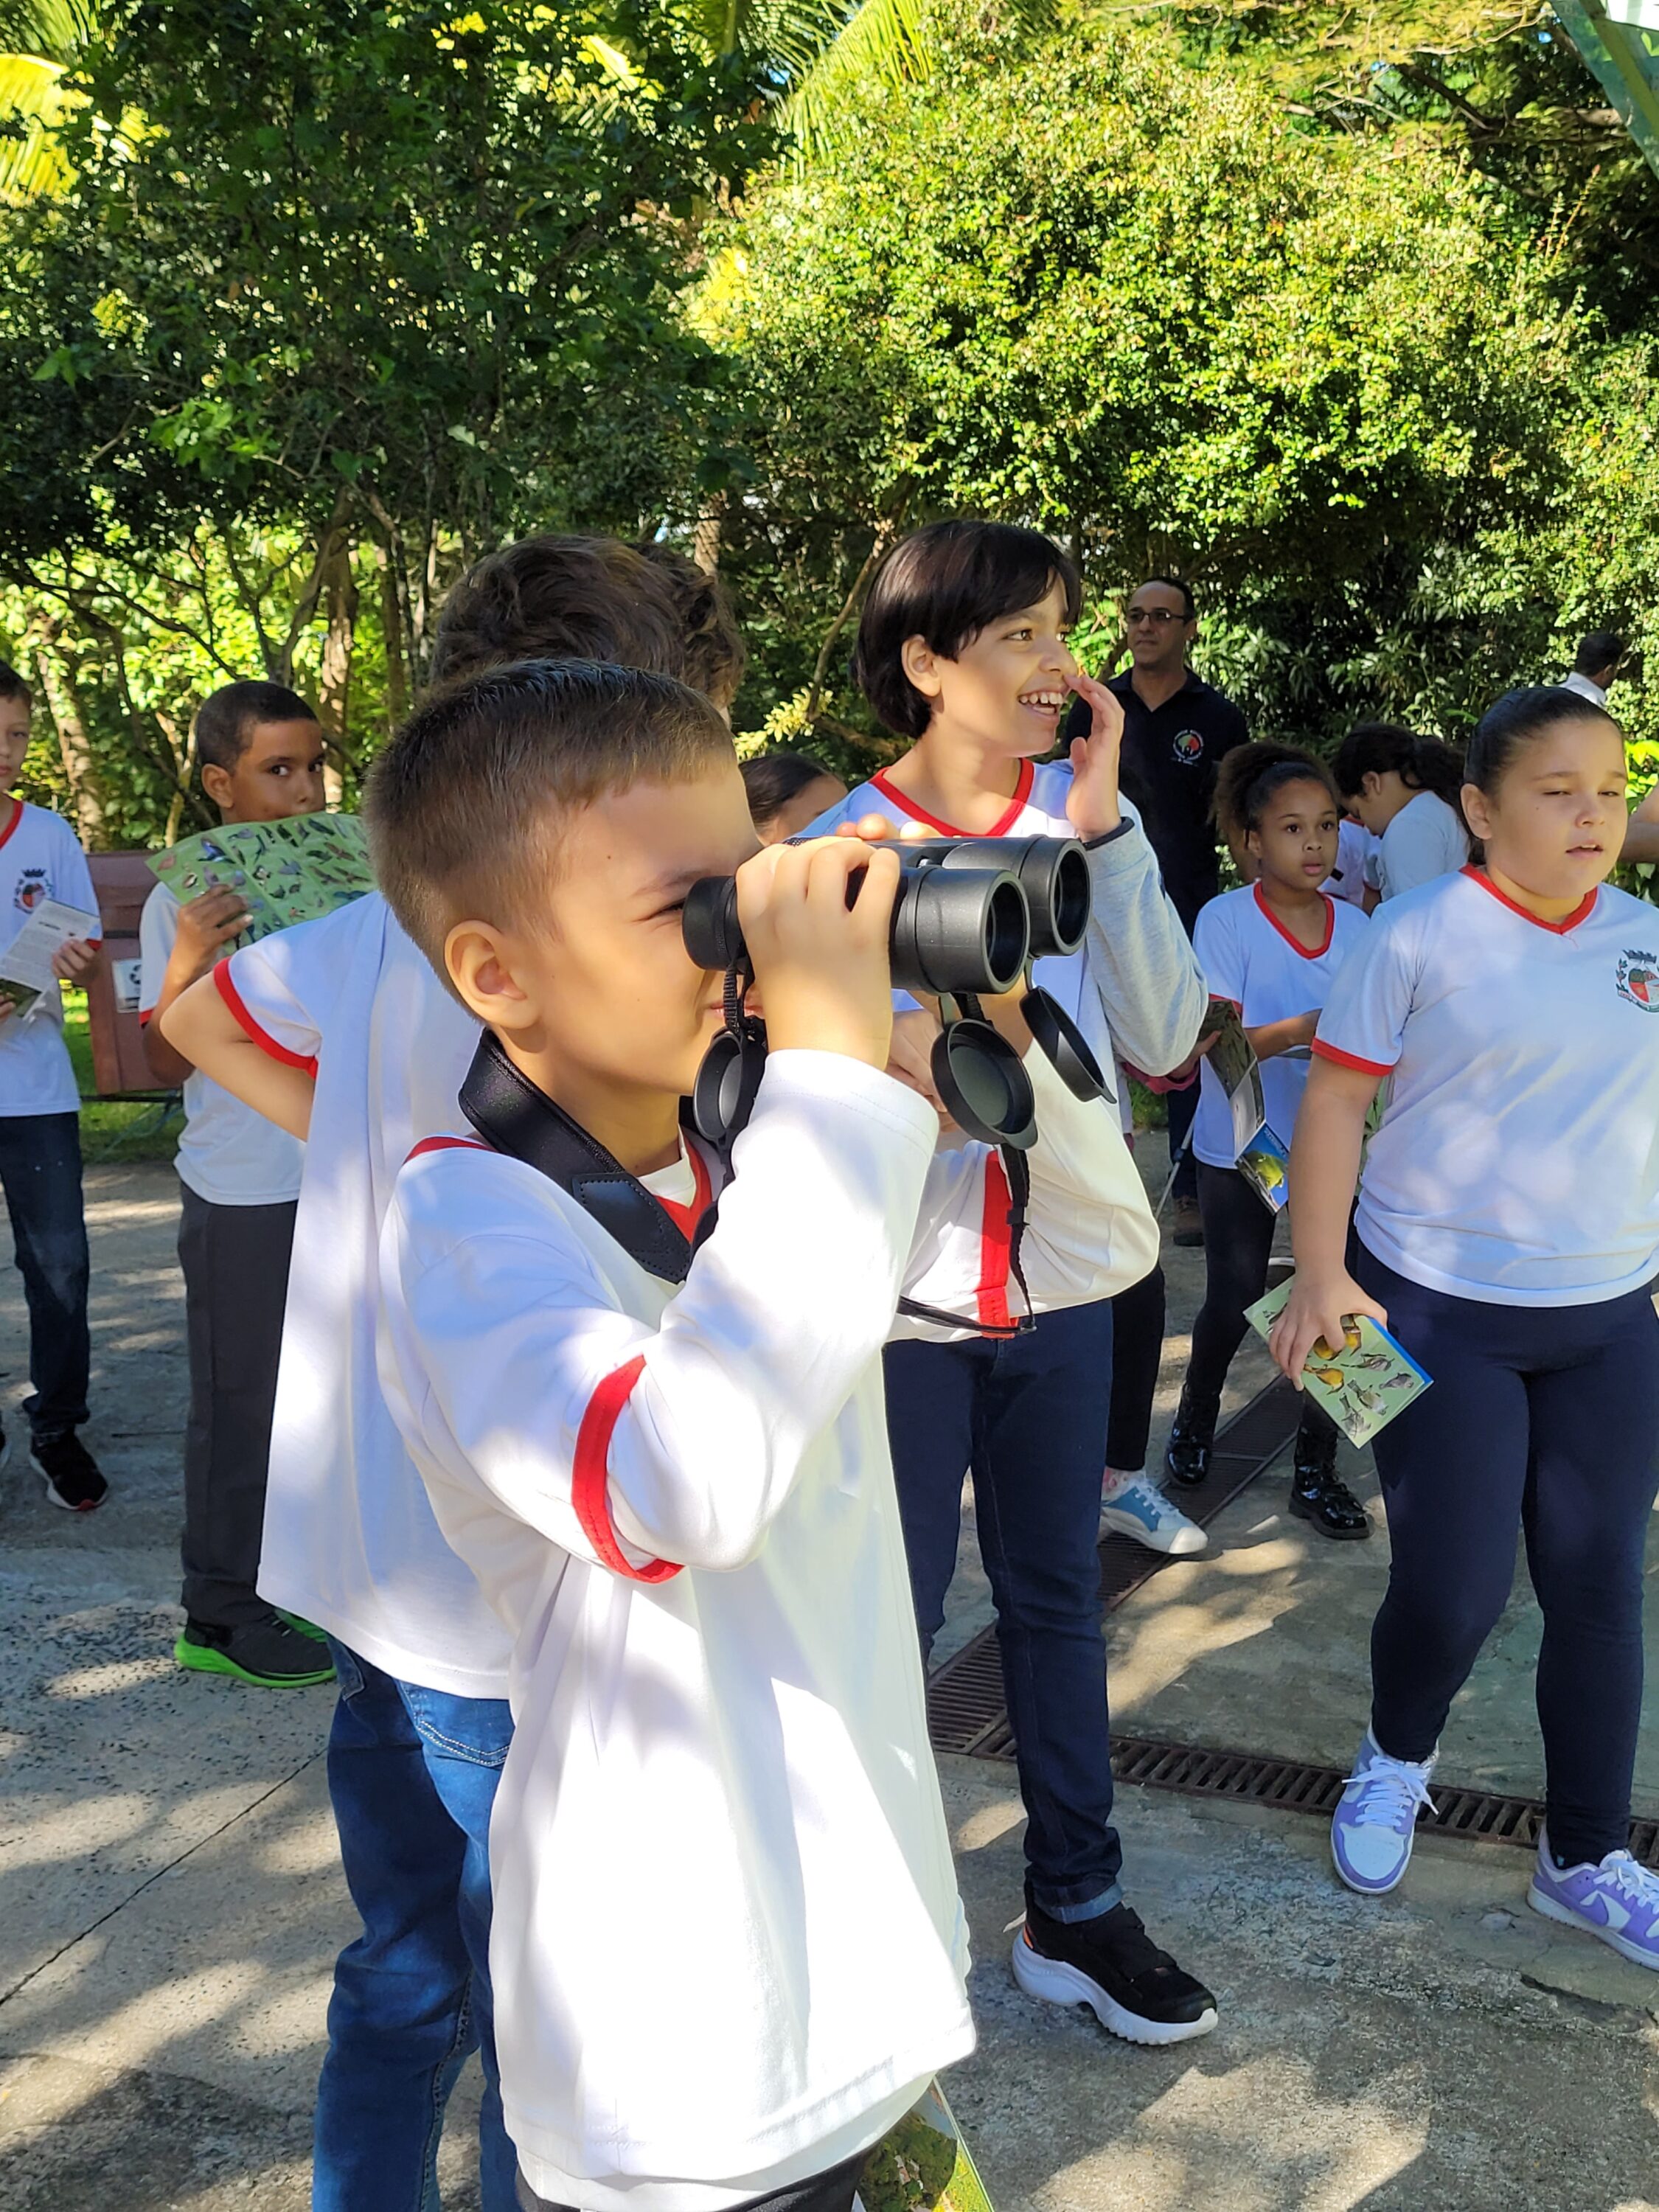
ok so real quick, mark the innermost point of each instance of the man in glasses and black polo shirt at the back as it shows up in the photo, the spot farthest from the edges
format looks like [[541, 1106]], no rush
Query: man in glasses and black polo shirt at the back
[[1176, 735]]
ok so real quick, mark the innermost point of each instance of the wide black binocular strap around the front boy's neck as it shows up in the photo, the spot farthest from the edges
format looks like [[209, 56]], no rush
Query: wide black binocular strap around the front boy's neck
[[512, 1116]]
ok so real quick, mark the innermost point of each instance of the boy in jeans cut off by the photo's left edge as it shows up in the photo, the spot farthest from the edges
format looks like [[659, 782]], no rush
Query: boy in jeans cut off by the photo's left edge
[[41, 1129]]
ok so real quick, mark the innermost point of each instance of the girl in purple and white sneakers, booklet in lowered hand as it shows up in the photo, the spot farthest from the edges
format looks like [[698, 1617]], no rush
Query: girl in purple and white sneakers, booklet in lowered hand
[[1507, 1238]]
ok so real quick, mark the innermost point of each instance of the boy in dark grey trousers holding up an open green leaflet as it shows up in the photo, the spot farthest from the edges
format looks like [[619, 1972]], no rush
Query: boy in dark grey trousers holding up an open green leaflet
[[262, 760]]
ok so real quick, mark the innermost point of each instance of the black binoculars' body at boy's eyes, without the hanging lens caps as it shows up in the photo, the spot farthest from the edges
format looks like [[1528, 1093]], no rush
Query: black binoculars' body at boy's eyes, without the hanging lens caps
[[968, 917]]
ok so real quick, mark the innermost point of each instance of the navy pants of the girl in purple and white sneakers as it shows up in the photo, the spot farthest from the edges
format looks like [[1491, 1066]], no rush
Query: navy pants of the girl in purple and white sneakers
[[1547, 1421]]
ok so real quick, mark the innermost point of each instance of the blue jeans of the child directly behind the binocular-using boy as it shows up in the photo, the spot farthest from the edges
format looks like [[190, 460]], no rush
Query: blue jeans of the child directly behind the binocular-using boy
[[413, 1775]]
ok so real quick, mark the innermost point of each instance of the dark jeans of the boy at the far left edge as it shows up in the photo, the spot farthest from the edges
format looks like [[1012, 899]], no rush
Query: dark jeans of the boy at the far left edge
[[41, 1178]]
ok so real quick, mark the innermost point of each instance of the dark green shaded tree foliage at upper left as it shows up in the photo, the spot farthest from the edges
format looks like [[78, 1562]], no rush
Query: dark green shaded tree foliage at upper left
[[371, 291]]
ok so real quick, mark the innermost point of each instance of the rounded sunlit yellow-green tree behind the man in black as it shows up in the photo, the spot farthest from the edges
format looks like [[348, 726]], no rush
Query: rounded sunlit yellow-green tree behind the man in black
[[1120, 298]]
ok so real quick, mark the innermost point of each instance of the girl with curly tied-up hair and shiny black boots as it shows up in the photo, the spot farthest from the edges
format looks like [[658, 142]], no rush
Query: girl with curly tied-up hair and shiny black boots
[[1273, 950]]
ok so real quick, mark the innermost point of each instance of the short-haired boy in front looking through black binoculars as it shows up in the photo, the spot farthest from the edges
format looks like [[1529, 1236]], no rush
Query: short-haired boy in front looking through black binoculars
[[658, 1439]]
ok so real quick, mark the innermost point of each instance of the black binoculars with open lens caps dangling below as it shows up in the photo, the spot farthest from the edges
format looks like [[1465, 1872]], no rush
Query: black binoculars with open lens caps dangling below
[[968, 919]]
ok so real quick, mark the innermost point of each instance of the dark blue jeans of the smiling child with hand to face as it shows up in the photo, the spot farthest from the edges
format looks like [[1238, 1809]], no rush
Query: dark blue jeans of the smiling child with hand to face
[[1027, 1417]]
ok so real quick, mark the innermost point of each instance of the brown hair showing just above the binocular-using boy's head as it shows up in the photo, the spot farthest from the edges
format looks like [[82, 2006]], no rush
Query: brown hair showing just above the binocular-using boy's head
[[561, 598]]
